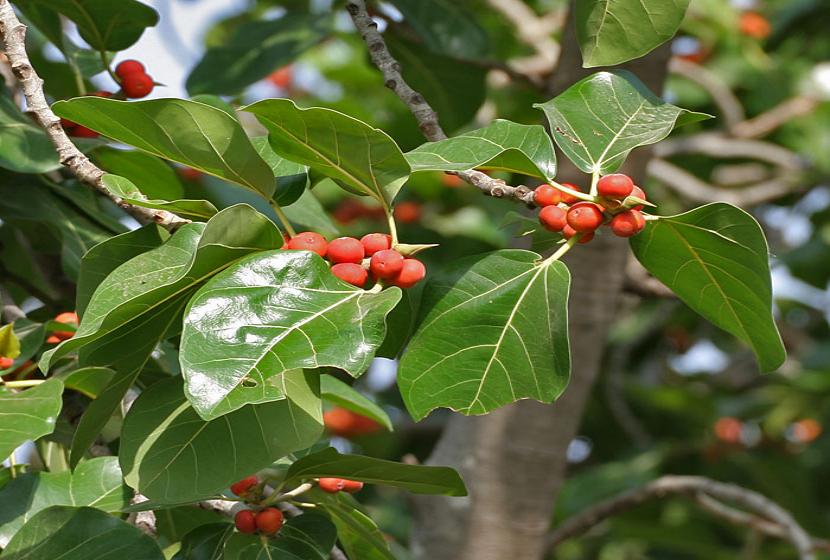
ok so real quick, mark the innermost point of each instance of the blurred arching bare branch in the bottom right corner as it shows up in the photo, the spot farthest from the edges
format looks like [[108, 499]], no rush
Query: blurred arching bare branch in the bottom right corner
[[693, 486]]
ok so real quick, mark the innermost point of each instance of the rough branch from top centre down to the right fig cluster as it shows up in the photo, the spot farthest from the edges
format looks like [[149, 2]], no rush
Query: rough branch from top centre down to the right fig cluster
[[424, 114]]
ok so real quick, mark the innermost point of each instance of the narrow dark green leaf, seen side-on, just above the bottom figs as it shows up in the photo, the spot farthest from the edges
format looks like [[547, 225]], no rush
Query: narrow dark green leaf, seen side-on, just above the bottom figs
[[415, 478]]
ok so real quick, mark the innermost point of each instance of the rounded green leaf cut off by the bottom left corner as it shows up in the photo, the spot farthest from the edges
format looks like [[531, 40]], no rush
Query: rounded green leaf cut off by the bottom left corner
[[68, 533]]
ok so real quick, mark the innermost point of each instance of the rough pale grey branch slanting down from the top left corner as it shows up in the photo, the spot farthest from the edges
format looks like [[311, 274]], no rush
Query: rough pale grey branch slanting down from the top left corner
[[13, 34]]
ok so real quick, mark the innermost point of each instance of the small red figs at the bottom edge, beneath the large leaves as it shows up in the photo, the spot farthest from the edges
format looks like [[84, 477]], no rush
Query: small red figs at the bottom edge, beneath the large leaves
[[268, 520]]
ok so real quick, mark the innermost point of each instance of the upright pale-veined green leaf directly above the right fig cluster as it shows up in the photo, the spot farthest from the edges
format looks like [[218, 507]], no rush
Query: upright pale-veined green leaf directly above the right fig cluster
[[600, 119]]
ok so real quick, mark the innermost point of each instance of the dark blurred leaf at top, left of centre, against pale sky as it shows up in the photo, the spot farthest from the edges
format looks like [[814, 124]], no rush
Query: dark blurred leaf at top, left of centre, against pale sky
[[255, 49]]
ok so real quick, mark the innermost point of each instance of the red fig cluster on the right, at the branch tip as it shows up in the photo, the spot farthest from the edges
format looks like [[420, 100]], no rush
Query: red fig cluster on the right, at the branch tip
[[565, 213]]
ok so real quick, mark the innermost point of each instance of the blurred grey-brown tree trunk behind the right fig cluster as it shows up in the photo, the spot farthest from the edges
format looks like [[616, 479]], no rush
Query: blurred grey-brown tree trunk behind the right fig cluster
[[514, 459]]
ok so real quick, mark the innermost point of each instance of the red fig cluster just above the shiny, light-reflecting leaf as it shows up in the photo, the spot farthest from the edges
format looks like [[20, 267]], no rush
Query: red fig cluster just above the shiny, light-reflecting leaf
[[356, 260]]
